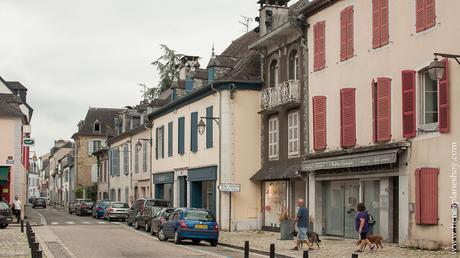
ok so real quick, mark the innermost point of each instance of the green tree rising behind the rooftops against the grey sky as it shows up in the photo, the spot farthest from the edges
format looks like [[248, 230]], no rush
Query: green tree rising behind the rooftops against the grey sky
[[166, 67]]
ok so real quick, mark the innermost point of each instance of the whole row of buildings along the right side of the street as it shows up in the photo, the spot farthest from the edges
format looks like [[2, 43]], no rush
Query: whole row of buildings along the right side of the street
[[330, 101]]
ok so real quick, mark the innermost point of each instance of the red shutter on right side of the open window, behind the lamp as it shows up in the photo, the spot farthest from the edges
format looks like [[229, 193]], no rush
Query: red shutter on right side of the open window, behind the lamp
[[443, 102]]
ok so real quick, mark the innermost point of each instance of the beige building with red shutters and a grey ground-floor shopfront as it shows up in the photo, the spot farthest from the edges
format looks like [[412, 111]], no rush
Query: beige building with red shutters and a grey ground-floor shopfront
[[382, 131]]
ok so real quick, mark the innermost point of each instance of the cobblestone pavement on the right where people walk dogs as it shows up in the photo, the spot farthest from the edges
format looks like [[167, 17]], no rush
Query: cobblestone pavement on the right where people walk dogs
[[329, 246]]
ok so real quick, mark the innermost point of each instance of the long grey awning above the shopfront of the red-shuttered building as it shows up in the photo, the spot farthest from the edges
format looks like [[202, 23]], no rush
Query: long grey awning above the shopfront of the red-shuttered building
[[352, 160]]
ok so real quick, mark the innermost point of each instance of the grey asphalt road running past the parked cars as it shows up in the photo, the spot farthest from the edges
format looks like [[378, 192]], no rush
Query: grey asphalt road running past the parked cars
[[68, 235]]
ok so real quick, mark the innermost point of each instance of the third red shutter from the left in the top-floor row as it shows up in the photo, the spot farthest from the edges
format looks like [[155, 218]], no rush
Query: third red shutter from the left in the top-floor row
[[380, 28]]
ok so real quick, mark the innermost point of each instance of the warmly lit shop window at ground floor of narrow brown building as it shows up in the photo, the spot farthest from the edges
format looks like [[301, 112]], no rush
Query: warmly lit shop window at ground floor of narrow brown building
[[275, 202]]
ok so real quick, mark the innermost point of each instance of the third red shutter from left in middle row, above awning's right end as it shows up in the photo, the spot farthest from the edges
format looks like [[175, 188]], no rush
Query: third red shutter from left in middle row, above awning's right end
[[383, 109]]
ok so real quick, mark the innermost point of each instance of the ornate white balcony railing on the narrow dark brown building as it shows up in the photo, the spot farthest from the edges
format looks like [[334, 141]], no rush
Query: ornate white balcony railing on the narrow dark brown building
[[285, 93]]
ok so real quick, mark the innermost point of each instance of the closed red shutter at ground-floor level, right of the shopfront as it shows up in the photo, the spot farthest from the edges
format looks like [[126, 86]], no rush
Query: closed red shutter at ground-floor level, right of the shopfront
[[426, 196]]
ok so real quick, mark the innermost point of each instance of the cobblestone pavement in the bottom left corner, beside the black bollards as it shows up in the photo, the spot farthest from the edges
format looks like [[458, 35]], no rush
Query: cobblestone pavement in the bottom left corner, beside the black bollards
[[13, 243]]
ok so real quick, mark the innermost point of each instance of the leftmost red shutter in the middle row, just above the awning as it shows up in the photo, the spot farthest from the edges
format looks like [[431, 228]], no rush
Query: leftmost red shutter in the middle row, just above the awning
[[319, 123]]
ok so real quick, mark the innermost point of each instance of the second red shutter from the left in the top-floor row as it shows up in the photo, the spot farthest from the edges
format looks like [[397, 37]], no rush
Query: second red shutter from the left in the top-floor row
[[346, 34]]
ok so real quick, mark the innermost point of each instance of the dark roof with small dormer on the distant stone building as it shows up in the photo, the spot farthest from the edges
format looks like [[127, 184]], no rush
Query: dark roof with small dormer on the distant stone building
[[105, 116]]
